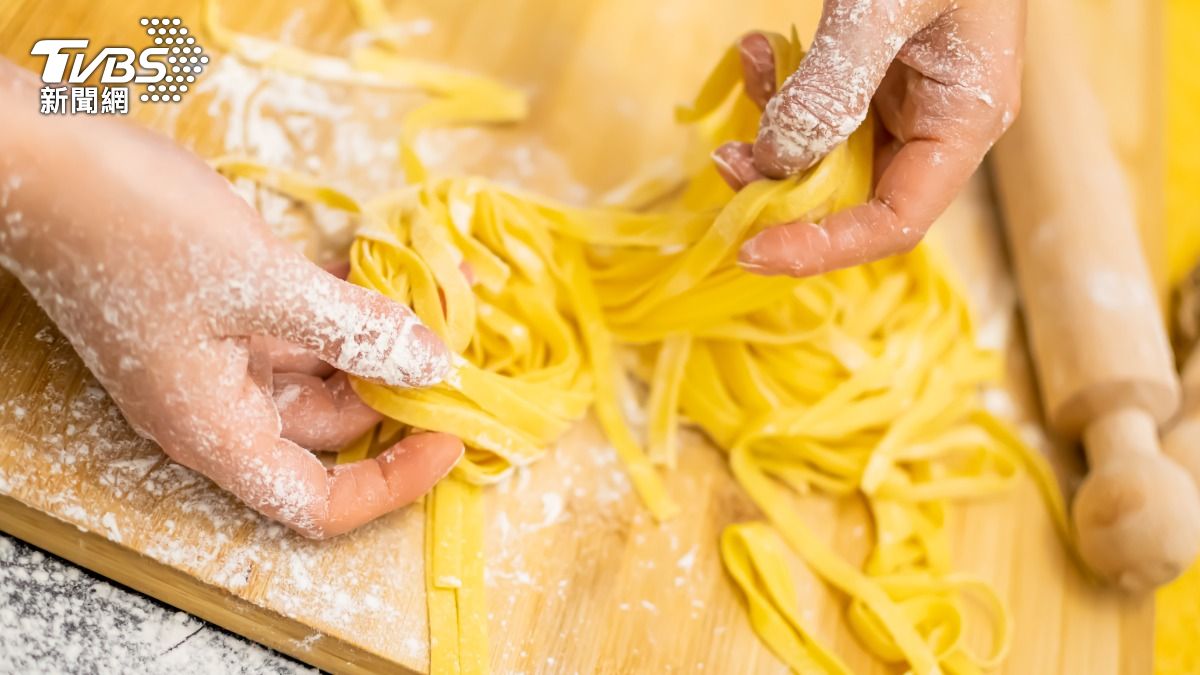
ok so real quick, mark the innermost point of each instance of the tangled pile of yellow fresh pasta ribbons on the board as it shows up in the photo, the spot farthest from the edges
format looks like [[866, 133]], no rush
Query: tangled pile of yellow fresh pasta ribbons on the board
[[859, 383]]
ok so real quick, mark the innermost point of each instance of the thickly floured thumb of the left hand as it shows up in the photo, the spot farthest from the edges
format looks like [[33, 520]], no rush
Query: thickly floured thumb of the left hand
[[346, 326]]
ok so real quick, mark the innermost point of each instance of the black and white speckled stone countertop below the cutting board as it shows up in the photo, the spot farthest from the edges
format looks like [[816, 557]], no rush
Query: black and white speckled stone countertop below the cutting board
[[58, 618]]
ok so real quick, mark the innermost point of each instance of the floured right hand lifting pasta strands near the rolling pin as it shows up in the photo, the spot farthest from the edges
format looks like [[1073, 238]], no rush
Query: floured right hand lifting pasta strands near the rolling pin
[[945, 80]]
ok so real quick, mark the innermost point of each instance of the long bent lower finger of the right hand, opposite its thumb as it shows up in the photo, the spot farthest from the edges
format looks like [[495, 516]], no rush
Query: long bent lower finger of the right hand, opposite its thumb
[[944, 124]]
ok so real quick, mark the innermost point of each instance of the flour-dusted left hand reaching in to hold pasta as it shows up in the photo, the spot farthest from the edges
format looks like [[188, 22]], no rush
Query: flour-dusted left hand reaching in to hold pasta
[[217, 341]]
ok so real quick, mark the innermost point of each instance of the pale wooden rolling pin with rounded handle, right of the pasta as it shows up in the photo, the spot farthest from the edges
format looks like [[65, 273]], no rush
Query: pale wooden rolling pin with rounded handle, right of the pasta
[[1095, 328]]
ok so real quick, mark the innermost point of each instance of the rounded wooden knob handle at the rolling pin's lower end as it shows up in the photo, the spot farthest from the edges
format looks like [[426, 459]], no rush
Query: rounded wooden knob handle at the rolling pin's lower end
[[1138, 513]]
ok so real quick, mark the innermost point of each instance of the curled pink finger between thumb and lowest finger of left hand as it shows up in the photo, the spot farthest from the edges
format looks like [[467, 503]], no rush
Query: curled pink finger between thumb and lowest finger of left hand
[[321, 415]]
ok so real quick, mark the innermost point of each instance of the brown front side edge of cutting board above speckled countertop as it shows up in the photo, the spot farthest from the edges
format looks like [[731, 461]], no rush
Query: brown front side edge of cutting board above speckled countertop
[[183, 592]]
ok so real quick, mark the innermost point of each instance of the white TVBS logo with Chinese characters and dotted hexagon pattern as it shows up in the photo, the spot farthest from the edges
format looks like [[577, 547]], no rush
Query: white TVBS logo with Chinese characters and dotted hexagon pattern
[[165, 71]]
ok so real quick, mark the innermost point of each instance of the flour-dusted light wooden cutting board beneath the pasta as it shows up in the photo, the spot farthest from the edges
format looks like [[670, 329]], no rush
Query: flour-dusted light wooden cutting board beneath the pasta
[[580, 580]]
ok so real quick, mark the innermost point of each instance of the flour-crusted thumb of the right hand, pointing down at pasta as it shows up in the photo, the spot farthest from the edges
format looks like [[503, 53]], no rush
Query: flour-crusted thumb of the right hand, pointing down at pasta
[[830, 94]]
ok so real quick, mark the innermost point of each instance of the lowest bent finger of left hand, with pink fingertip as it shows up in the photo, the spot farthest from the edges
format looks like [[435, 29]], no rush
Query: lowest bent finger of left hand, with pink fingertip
[[229, 431]]
